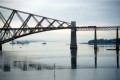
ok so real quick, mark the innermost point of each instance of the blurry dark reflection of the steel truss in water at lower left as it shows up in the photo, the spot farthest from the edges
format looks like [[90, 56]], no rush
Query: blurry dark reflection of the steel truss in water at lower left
[[10, 62]]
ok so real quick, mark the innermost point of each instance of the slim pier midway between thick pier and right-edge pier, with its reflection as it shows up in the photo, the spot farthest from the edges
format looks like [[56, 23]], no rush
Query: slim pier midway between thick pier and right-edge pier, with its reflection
[[95, 46]]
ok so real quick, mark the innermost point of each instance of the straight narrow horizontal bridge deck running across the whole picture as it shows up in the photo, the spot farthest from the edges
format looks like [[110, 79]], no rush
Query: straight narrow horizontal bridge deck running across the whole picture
[[85, 28]]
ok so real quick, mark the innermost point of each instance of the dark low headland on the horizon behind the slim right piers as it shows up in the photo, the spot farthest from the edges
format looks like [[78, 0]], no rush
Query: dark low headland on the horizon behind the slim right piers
[[104, 41]]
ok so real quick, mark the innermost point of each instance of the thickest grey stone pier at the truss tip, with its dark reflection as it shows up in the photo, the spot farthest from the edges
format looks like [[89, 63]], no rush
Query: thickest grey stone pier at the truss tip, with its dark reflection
[[73, 46]]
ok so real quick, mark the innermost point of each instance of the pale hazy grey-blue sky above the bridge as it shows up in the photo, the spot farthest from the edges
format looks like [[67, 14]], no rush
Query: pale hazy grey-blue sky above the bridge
[[84, 12]]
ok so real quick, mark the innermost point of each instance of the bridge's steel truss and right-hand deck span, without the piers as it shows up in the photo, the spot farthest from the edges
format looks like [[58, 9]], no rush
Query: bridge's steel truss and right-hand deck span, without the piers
[[10, 32]]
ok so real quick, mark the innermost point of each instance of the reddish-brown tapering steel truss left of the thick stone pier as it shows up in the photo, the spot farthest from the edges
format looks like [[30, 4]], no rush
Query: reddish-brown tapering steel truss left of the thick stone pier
[[8, 33]]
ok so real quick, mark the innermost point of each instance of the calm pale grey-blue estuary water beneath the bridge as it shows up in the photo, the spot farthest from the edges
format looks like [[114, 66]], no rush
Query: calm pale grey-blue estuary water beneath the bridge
[[52, 61]]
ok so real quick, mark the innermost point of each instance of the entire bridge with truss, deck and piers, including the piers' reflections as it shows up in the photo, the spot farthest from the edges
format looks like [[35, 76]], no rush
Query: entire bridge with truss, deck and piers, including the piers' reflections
[[8, 32]]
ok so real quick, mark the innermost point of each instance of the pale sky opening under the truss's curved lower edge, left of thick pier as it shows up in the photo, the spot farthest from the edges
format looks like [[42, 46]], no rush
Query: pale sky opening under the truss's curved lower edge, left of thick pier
[[61, 35]]
